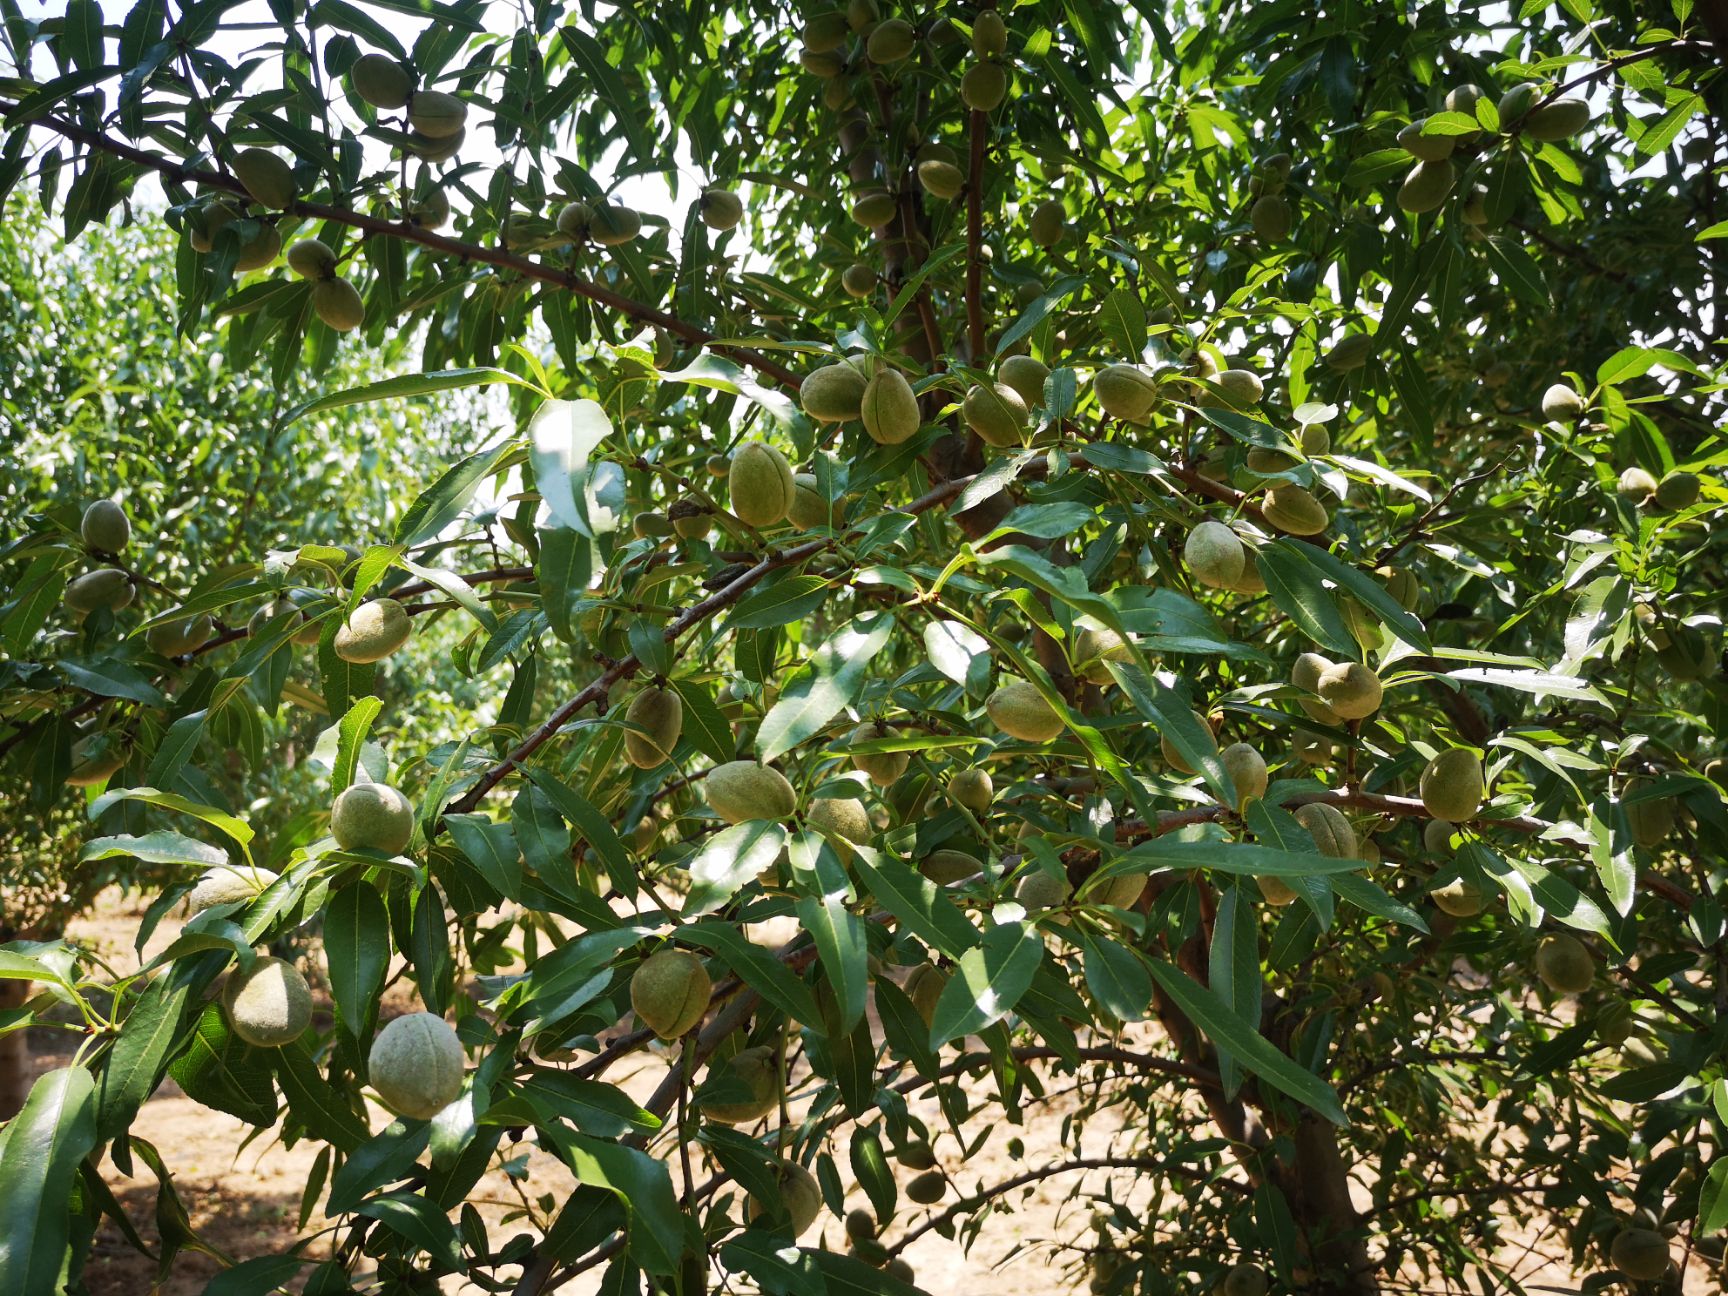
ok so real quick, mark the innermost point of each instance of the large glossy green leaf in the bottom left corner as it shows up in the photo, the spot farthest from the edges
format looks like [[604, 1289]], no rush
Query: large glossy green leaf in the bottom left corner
[[39, 1162]]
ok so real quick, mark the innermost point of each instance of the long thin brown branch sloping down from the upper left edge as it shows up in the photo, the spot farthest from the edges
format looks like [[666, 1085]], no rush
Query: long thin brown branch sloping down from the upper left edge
[[416, 234]]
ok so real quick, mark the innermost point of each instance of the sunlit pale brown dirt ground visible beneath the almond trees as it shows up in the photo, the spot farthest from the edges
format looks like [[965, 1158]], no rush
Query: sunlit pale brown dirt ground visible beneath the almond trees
[[246, 1200]]
